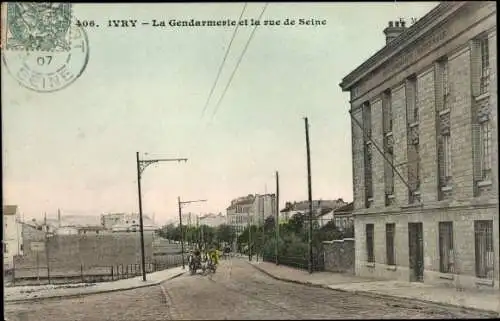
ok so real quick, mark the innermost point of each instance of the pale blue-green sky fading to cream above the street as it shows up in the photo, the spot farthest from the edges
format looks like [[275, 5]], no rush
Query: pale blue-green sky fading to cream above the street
[[144, 90]]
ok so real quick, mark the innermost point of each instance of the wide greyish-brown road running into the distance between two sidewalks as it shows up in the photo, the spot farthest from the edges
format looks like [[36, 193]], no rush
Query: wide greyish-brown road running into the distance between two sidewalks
[[236, 291]]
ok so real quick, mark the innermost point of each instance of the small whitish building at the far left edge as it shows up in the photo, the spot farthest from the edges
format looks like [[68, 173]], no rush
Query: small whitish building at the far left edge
[[12, 235]]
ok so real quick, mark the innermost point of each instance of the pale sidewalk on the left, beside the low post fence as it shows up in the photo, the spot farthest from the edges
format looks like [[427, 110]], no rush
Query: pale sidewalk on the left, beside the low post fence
[[30, 293]]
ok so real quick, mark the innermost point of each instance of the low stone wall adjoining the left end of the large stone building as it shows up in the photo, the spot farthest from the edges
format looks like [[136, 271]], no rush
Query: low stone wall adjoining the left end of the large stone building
[[340, 256]]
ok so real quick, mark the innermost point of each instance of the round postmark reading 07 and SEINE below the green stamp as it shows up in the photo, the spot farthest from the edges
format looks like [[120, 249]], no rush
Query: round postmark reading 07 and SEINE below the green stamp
[[50, 70]]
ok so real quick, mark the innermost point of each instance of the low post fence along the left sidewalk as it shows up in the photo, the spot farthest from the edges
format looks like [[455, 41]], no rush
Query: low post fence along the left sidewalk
[[84, 274]]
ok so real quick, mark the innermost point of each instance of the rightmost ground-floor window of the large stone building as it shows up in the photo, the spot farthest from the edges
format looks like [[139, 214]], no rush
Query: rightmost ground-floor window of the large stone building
[[483, 231]]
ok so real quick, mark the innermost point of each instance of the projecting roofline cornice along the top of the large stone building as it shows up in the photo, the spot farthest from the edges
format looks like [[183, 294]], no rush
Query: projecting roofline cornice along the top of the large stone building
[[435, 17]]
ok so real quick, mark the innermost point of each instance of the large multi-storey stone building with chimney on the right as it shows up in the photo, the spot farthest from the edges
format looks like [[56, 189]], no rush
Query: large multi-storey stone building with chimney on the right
[[425, 150]]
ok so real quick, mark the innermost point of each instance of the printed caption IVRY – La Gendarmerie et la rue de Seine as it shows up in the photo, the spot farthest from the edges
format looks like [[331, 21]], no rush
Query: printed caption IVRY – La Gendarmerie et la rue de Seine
[[216, 23]]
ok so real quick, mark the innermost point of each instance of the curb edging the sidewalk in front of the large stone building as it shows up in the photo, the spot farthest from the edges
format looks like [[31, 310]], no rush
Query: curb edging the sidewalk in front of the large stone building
[[371, 294]]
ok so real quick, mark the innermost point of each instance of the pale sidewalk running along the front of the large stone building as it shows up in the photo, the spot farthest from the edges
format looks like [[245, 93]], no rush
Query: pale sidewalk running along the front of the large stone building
[[472, 299]]
